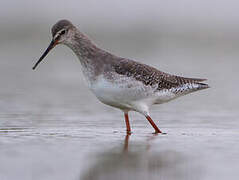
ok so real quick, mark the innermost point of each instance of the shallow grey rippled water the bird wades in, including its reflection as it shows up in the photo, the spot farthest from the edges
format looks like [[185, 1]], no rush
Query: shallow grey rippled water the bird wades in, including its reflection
[[52, 127]]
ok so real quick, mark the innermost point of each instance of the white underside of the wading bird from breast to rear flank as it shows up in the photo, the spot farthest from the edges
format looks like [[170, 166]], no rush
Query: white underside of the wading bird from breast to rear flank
[[127, 94]]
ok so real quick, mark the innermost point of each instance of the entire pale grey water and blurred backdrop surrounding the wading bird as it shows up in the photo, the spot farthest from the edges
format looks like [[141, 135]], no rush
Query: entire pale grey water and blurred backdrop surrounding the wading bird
[[52, 127]]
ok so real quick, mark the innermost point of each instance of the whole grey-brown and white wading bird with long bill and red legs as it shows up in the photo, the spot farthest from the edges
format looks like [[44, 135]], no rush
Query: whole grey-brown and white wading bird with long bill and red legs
[[120, 82]]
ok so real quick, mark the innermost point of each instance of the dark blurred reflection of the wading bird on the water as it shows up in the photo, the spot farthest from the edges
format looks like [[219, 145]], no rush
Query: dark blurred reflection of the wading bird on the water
[[135, 160]]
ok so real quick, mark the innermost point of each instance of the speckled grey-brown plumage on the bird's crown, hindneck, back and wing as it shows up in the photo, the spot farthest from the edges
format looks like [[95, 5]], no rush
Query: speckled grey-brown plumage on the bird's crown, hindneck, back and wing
[[104, 62]]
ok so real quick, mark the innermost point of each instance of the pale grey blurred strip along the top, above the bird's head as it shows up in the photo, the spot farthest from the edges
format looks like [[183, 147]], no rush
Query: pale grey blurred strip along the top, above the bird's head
[[121, 12]]
